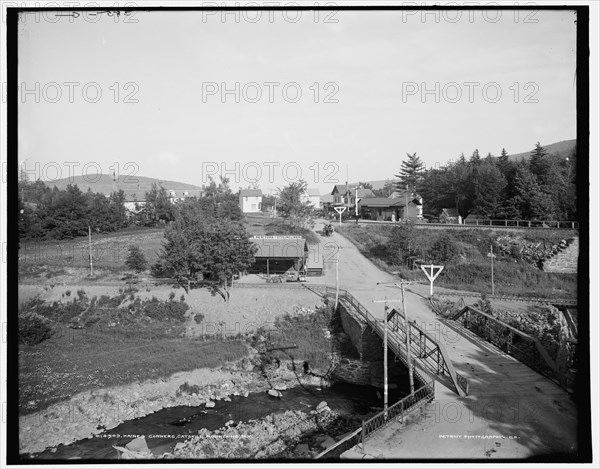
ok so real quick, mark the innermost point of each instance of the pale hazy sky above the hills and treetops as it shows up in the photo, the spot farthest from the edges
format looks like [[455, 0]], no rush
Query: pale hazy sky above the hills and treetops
[[372, 67]]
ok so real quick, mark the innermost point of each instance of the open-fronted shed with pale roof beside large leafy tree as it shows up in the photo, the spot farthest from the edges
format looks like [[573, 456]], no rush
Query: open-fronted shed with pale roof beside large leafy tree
[[279, 254]]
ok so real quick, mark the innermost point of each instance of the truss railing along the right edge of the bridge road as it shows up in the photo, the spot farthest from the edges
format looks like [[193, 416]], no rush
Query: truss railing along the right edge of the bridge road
[[525, 348]]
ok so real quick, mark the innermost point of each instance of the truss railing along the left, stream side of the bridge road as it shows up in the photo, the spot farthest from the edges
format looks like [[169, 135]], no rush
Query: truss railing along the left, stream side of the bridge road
[[431, 355]]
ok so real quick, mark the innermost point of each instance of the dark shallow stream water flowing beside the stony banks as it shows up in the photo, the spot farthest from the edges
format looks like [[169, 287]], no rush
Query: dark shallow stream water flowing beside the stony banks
[[165, 428]]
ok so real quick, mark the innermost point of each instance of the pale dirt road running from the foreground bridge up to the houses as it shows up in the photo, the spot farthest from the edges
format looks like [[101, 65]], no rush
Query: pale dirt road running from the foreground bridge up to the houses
[[511, 411]]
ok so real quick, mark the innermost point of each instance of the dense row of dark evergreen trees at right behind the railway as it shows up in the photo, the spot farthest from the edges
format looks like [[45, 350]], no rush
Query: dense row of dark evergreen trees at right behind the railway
[[540, 188]]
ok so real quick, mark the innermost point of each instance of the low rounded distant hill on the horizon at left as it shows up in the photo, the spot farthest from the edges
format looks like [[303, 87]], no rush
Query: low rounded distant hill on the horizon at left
[[104, 183]]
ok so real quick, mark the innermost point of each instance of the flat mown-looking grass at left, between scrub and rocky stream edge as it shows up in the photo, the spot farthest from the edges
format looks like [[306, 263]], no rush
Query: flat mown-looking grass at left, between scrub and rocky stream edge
[[75, 360]]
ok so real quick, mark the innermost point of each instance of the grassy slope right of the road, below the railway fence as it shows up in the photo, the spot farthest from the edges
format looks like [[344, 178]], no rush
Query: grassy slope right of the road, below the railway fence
[[464, 255]]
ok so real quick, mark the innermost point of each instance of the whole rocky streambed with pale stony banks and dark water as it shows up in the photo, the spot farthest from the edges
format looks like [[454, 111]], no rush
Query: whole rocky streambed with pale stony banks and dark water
[[193, 414]]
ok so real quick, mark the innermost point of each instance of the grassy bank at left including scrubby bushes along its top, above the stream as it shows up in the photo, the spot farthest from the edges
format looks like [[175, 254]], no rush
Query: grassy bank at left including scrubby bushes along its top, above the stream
[[73, 346]]
